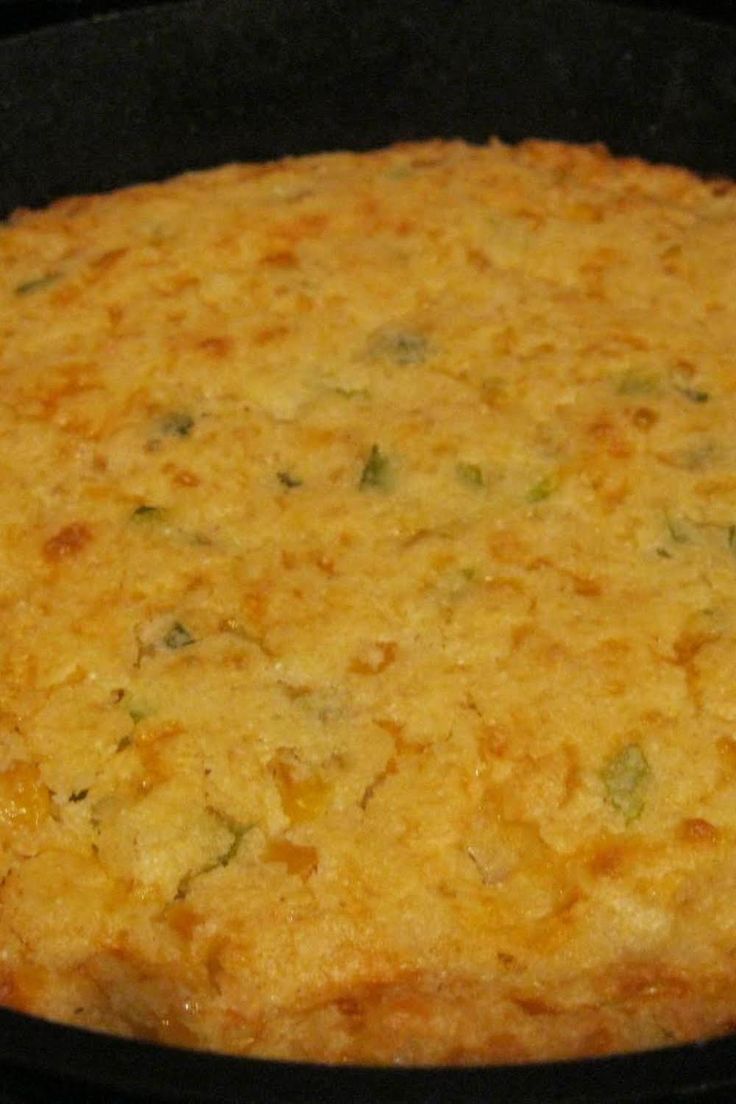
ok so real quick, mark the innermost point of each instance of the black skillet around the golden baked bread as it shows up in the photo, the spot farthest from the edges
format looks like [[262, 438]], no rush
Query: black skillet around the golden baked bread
[[99, 104]]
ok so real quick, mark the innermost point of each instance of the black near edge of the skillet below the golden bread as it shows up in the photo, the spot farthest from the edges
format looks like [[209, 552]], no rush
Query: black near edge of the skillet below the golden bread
[[98, 1060]]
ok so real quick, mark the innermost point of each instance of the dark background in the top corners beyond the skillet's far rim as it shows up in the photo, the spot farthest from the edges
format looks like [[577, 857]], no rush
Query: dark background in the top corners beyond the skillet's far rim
[[18, 16]]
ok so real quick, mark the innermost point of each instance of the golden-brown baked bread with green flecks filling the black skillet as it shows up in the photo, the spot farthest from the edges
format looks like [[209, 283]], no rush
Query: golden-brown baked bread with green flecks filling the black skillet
[[368, 598]]
